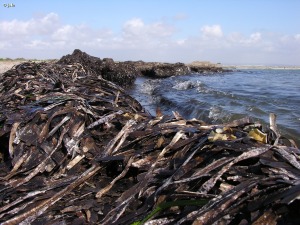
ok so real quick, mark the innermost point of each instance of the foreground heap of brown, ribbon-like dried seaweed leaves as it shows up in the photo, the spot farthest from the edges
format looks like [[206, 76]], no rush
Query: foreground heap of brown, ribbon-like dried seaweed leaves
[[77, 149]]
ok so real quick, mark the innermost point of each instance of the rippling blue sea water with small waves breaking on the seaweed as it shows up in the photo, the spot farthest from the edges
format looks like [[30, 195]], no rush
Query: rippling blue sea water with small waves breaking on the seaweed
[[223, 97]]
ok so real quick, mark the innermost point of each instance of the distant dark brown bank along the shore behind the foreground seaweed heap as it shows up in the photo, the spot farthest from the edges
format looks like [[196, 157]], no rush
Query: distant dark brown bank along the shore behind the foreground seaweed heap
[[124, 73]]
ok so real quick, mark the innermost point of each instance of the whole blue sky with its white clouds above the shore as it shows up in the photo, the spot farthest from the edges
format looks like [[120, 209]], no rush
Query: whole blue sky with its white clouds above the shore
[[240, 32]]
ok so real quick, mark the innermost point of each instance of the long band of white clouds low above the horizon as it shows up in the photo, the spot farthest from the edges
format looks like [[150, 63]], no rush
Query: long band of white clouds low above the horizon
[[49, 37]]
